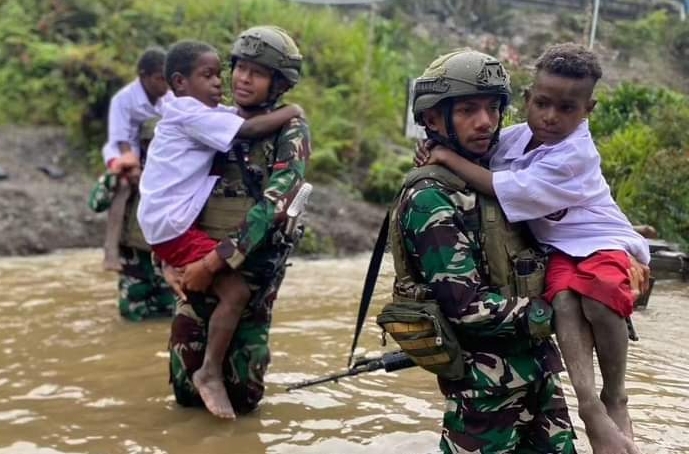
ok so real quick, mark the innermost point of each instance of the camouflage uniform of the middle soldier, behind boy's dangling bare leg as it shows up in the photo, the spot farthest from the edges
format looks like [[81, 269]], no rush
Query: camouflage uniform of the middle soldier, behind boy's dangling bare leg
[[251, 251]]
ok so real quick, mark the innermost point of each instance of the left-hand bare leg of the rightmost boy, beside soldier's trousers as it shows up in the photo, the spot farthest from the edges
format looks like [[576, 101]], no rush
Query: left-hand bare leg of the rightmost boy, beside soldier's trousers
[[576, 342]]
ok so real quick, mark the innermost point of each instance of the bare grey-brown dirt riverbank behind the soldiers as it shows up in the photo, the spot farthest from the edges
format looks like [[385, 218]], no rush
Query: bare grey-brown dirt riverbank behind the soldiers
[[44, 189]]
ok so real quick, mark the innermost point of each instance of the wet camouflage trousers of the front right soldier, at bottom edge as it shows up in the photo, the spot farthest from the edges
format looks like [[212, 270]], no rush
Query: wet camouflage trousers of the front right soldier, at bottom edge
[[532, 419]]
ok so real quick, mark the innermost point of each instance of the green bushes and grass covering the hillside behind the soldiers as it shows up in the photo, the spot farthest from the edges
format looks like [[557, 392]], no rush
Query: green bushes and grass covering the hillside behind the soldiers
[[63, 60]]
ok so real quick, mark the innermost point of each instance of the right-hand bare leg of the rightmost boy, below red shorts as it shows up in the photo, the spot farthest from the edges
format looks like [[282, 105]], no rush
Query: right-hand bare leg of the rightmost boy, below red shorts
[[610, 331]]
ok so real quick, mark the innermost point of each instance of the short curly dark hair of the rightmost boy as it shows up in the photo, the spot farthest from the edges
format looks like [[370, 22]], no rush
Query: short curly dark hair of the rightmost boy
[[570, 60]]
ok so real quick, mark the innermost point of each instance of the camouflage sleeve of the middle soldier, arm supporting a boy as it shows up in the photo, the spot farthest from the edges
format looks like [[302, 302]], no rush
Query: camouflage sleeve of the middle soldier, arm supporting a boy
[[293, 150]]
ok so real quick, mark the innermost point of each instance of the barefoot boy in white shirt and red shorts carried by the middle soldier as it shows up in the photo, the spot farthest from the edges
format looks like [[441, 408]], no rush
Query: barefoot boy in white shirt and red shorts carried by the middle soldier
[[176, 184]]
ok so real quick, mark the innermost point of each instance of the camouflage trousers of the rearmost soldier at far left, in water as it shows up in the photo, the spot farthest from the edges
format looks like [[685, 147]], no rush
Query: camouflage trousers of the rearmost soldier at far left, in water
[[143, 293]]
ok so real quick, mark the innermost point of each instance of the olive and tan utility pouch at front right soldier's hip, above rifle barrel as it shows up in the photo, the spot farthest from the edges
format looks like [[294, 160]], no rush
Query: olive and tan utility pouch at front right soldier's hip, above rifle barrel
[[425, 334]]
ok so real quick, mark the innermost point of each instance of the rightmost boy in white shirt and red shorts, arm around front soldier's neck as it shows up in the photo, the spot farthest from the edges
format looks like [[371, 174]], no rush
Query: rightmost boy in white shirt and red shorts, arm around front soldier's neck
[[547, 172]]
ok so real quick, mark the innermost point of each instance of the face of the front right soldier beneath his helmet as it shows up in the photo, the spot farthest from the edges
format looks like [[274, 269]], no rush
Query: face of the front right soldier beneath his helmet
[[475, 121]]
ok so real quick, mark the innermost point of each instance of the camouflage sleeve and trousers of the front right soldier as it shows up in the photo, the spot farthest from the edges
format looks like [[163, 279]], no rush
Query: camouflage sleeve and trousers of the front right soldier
[[502, 361]]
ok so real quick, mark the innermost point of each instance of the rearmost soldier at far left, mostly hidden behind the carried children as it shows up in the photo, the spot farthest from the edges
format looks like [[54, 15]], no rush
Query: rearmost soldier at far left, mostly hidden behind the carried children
[[143, 293]]
